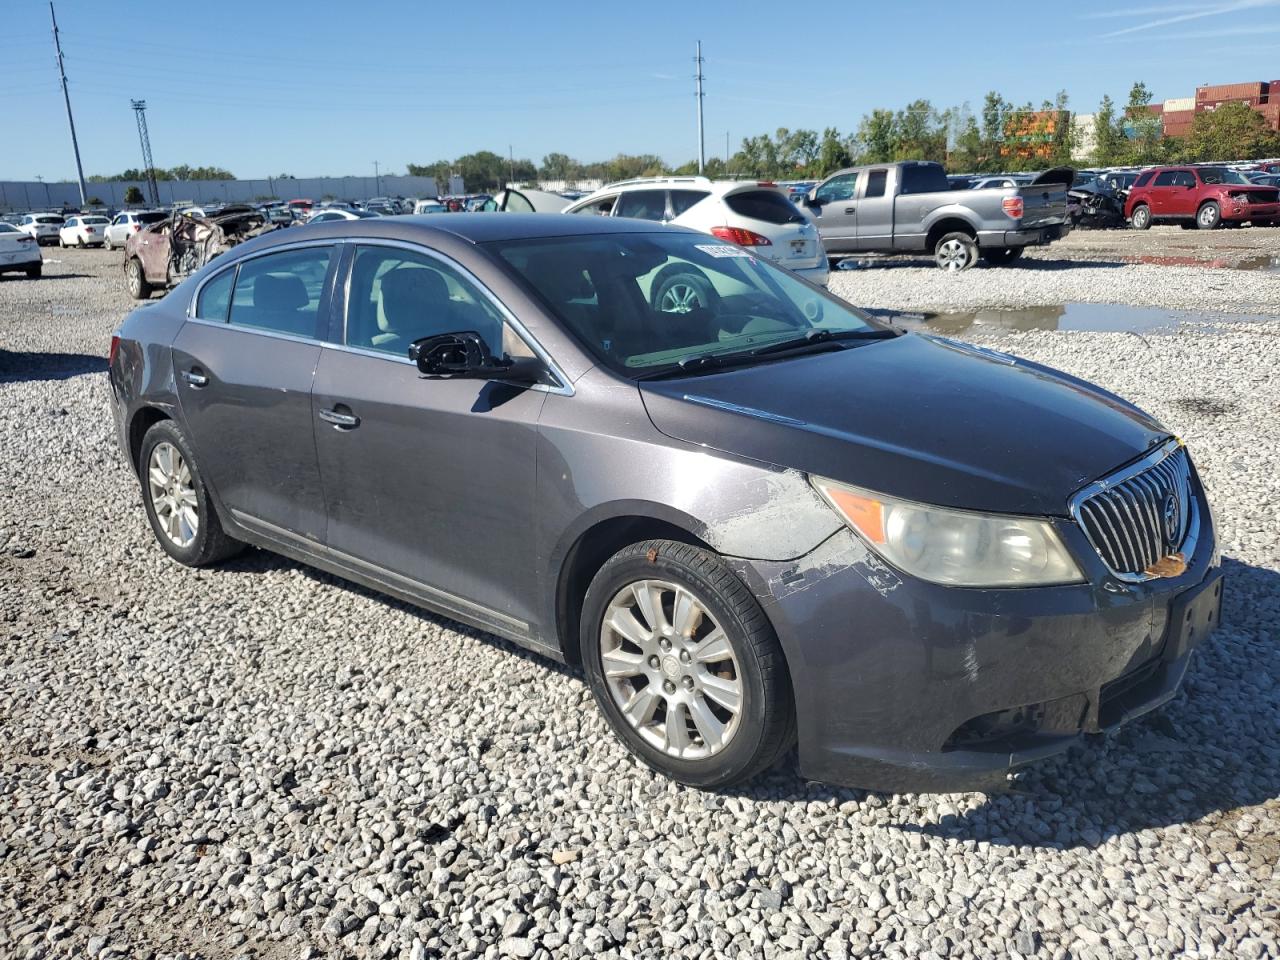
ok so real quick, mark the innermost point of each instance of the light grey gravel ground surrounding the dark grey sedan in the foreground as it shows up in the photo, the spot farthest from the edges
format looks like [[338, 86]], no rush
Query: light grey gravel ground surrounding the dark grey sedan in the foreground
[[262, 761]]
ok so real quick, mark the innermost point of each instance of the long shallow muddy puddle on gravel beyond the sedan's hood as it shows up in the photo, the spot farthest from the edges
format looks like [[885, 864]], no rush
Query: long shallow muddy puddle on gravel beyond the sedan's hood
[[1064, 317]]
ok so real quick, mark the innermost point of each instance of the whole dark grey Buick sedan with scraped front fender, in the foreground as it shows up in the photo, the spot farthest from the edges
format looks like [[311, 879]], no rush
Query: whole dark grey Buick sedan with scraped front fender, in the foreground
[[766, 522]]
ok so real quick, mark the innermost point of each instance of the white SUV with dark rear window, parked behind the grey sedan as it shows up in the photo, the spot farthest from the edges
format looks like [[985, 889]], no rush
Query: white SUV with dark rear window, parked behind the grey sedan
[[753, 214]]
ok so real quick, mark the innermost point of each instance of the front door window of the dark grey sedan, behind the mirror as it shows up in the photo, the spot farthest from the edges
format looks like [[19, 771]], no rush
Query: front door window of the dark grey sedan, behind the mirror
[[400, 296]]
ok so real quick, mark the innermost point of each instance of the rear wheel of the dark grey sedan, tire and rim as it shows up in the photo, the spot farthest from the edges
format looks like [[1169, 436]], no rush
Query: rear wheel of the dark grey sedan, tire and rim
[[193, 536]]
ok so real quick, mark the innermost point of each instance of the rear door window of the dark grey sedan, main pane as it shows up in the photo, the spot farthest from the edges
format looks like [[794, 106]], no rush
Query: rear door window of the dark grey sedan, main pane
[[281, 292]]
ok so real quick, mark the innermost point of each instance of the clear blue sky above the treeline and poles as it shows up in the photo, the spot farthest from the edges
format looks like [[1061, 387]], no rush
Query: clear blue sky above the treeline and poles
[[327, 88]]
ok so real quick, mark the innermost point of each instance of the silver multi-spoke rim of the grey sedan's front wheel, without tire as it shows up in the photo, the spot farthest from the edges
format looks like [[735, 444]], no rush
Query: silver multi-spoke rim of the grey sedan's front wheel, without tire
[[671, 670]]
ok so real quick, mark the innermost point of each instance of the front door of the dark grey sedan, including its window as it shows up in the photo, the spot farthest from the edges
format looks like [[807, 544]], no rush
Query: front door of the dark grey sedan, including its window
[[428, 481]]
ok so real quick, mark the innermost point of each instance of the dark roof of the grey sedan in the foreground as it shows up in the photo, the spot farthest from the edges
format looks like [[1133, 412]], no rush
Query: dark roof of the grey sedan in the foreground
[[478, 228]]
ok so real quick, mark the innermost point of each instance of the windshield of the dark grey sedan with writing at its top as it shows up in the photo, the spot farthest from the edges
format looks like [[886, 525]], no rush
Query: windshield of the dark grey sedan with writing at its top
[[655, 304]]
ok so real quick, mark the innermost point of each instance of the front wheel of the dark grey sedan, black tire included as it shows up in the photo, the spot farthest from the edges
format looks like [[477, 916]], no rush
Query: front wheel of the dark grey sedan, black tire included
[[753, 669]]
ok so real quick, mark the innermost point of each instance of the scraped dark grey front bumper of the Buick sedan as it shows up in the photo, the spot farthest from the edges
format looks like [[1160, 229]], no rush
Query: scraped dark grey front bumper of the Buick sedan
[[908, 687]]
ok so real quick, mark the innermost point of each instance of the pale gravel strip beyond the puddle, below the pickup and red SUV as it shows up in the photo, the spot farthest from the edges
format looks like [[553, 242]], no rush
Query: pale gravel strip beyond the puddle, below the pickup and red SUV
[[1090, 267]]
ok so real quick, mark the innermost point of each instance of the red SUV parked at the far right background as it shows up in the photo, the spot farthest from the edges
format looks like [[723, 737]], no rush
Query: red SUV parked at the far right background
[[1200, 196]]
